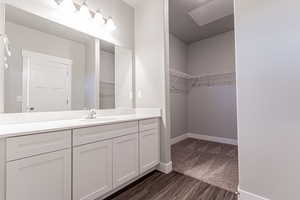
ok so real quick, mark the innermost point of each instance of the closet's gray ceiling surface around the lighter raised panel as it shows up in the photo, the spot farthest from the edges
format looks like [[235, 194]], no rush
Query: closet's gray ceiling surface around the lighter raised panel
[[184, 27]]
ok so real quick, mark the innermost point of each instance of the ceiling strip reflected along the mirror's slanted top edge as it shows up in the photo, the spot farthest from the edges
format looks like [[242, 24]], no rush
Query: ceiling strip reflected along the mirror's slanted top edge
[[24, 18]]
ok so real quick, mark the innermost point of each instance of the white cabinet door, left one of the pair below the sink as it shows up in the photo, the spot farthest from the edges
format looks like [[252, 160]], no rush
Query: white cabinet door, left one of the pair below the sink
[[92, 170]]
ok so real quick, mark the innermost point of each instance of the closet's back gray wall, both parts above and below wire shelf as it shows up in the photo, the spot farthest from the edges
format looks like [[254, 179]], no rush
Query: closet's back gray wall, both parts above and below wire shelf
[[212, 110]]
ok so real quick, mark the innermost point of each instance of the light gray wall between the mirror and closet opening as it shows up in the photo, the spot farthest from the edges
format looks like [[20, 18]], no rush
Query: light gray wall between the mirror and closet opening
[[152, 64]]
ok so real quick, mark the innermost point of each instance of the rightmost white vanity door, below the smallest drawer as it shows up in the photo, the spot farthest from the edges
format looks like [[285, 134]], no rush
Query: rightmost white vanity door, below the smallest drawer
[[149, 149]]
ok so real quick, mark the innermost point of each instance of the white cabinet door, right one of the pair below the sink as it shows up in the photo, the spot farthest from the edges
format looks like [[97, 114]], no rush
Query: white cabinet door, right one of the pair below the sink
[[125, 159]]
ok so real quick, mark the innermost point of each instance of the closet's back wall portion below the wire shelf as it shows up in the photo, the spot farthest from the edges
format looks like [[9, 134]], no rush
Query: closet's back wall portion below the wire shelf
[[212, 111]]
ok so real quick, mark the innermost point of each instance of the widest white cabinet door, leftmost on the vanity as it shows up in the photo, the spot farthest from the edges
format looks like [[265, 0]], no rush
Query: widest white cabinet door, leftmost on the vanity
[[46, 177]]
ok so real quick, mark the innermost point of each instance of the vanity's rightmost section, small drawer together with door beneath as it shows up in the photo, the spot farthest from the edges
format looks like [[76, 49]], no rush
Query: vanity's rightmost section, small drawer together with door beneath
[[149, 144]]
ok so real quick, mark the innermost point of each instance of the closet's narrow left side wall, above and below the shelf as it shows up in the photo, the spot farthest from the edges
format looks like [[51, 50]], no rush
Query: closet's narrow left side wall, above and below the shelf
[[178, 101]]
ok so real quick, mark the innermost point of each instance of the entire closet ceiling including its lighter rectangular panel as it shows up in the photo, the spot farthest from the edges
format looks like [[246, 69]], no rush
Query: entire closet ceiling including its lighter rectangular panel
[[194, 20]]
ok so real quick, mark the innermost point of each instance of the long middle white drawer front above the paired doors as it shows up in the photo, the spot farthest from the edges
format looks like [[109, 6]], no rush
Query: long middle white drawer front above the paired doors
[[98, 133]]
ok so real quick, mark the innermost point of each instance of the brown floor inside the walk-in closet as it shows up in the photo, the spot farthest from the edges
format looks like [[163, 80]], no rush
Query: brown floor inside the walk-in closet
[[210, 162]]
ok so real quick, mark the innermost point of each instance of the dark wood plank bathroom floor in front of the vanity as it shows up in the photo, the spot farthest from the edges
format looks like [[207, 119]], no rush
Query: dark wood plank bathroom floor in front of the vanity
[[174, 186]]
